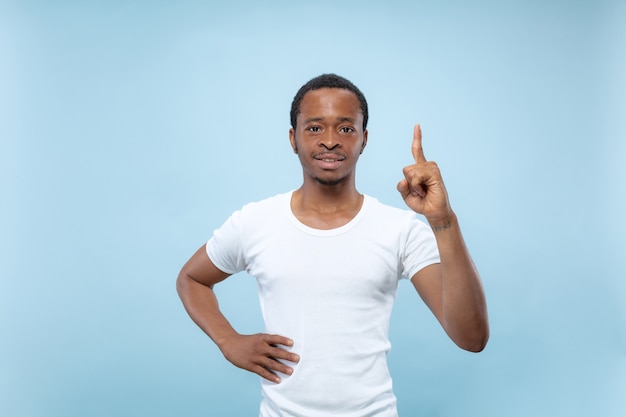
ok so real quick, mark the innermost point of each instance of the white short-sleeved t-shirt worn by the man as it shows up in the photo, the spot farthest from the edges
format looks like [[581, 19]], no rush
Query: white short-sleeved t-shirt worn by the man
[[331, 292]]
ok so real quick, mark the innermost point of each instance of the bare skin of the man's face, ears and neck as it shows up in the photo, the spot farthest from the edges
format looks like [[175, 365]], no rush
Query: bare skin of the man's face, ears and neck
[[329, 126]]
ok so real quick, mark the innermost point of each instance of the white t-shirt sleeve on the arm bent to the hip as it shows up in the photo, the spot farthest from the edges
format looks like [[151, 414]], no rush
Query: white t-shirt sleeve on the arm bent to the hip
[[225, 247]]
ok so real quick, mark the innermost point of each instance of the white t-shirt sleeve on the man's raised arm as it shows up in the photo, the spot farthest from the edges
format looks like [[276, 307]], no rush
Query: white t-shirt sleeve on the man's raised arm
[[420, 248]]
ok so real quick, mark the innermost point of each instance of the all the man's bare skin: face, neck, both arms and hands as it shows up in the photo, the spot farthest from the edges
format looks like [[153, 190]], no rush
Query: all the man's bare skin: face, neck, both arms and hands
[[328, 139]]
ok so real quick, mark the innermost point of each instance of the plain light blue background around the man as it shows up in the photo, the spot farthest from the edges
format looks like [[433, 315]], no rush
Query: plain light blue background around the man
[[131, 129]]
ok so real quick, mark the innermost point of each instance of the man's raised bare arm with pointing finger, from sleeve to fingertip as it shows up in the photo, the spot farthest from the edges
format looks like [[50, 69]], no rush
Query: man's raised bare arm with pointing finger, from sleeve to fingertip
[[451, 289]]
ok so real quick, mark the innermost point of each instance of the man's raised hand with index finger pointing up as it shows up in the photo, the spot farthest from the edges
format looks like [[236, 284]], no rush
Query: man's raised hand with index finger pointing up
[[422, 187]]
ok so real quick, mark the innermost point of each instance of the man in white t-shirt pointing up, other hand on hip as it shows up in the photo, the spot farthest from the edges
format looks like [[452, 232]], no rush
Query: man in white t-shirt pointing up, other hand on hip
[[327, 260]]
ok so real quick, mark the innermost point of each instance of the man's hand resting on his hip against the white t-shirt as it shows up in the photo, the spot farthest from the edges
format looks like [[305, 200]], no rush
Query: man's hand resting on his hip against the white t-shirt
[[259, 353]]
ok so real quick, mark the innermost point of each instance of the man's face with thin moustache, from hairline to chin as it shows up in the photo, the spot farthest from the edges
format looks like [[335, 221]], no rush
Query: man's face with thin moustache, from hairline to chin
[[329, 135]]
